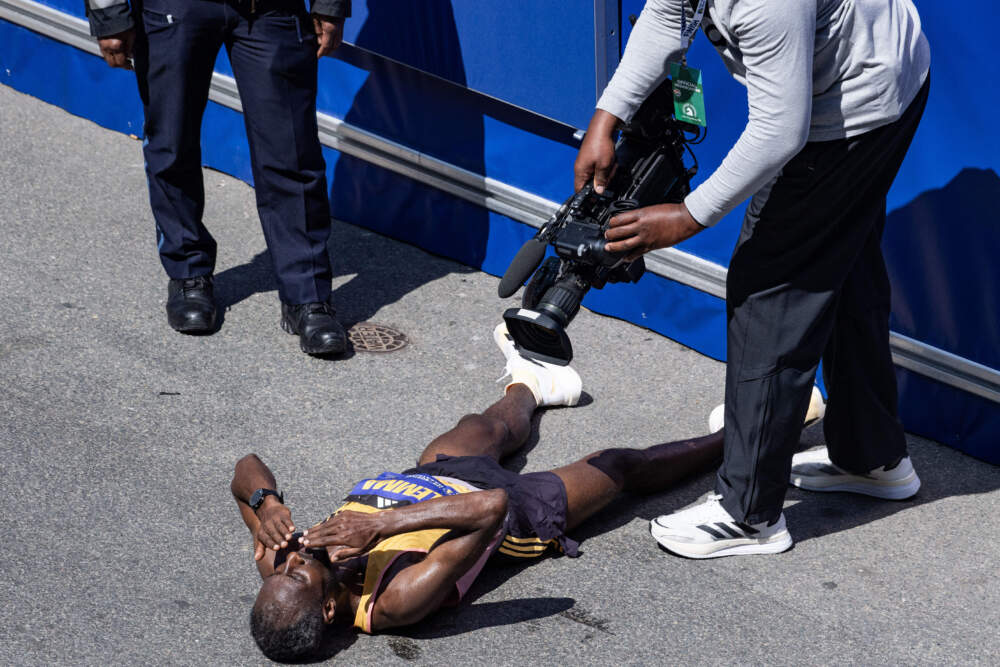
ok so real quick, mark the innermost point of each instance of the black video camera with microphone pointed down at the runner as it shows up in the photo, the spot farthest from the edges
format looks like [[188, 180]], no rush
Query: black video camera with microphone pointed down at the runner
[[650, 170]]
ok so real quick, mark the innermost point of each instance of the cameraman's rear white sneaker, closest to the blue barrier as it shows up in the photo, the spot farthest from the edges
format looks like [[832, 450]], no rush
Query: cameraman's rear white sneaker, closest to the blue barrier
[[813, 471]]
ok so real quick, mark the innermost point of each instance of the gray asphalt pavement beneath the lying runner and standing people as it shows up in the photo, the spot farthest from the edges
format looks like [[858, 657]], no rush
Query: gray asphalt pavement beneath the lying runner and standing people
[[122, 544]]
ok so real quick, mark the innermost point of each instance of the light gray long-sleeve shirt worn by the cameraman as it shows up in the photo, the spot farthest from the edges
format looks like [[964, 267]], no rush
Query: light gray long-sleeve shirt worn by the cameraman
[[815, 70]]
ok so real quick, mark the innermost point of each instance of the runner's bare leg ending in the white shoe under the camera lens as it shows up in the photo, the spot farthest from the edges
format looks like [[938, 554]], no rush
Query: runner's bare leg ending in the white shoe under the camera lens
[[499, 431]]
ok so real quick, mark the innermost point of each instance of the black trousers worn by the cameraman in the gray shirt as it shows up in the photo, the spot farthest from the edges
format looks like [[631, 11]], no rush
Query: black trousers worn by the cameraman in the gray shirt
[[807, 281]]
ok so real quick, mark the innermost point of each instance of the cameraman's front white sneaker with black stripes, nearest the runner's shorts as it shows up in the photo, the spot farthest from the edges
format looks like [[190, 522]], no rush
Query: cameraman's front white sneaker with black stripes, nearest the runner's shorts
[[706, 530]]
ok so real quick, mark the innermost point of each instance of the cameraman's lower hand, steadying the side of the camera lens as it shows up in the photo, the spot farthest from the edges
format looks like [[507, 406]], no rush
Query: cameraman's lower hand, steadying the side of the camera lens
[[644, 229]]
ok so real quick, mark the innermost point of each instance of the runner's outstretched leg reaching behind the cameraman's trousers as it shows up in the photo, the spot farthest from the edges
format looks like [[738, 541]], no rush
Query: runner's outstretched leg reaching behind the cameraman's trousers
[[595, 480]]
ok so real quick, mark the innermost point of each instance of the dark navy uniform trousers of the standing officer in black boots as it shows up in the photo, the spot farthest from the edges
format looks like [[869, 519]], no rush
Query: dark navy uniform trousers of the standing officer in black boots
[[272, 49]]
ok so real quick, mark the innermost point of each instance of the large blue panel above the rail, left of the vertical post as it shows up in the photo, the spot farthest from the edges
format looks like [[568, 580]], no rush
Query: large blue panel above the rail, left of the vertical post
[[538, 55]]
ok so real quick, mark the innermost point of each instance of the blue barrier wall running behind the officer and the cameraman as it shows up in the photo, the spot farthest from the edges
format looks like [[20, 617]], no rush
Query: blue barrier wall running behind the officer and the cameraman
[[499, 93]]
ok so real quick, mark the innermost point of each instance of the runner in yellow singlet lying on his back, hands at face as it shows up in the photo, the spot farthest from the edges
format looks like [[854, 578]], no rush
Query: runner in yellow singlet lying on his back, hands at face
[[405, 544]]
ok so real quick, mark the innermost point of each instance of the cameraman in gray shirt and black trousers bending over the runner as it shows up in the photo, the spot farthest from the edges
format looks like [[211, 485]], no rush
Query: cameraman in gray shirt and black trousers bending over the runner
[[835, 91]]
